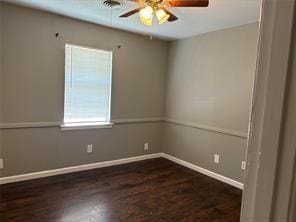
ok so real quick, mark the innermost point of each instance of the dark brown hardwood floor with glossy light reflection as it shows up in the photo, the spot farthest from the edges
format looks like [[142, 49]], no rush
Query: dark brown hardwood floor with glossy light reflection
[[151, 190]]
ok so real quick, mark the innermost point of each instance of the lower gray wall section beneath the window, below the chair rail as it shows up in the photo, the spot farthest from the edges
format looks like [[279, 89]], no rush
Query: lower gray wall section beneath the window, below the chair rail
[[38, 149]]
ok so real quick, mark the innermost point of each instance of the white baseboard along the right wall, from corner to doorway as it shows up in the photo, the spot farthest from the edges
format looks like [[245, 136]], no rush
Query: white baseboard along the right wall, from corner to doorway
[[204, 171]]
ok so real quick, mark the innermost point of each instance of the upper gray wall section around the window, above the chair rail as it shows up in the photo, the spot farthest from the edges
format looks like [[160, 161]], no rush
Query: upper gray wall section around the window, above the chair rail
[[33, 69]]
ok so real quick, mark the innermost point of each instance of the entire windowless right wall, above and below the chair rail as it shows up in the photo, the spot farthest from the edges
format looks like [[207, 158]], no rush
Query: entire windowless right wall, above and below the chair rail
[[209, 85]]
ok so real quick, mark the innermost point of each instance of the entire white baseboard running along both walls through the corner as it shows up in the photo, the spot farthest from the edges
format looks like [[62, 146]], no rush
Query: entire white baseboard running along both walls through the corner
[[47, 173]]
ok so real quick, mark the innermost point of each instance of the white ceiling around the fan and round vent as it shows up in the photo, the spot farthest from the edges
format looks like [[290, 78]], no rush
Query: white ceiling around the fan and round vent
[[192, 21]]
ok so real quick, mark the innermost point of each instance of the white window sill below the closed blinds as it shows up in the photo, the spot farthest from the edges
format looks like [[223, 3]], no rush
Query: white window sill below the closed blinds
[[82, 126]]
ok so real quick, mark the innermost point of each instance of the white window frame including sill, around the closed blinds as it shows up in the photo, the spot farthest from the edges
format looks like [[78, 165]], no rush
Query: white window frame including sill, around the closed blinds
[[88, 124]]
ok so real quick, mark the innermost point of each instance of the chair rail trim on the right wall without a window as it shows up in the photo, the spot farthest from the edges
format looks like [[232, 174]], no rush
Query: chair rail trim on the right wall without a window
[[208, 128]]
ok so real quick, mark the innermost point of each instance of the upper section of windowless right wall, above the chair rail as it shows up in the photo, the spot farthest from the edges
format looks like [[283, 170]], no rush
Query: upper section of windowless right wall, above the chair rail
[[210, 78]]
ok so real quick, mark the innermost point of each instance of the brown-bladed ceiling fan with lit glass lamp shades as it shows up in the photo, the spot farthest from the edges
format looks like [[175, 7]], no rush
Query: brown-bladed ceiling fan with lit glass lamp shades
[[148, 8]]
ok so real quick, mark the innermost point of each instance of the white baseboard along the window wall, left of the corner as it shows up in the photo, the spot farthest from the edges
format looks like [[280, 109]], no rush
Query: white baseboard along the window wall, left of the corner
[[47, 173]]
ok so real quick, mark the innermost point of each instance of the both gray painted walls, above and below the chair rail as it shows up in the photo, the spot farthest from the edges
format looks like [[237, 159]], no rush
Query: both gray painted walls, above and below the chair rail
[[208, 83]]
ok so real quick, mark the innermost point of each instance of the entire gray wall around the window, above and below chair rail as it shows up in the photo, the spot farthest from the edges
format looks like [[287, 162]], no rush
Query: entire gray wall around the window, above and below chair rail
[[33, 74]]
